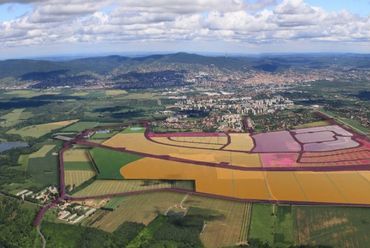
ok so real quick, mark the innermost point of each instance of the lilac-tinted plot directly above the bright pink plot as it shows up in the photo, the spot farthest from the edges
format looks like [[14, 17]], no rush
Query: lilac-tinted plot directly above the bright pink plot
[[275, 142]]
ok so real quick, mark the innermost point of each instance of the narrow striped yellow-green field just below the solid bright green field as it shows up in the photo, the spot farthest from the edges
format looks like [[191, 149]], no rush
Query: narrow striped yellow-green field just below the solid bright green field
[[102, 187]]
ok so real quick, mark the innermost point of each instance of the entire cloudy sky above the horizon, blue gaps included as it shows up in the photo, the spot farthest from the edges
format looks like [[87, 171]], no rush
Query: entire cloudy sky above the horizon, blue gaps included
[[31, 28]]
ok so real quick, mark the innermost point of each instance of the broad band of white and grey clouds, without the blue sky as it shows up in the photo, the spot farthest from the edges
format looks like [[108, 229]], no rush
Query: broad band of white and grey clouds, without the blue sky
[[252, 22]]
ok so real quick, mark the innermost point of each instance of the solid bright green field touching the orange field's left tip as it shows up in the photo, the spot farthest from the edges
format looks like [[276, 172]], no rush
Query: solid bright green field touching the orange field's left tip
[[109, 162]]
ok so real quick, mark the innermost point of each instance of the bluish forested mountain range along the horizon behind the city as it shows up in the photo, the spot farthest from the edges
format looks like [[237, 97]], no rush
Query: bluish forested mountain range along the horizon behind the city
[[48, 73]]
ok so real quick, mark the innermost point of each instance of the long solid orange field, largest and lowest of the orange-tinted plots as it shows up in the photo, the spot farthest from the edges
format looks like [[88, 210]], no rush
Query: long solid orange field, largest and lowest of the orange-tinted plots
[[335, 187]]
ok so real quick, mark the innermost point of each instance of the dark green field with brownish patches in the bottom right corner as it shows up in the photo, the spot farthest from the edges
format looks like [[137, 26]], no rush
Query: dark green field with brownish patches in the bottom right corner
[[332, 226]]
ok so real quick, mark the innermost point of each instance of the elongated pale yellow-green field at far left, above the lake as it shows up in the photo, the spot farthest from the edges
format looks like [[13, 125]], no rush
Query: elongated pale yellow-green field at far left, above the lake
[[37, 131]]
